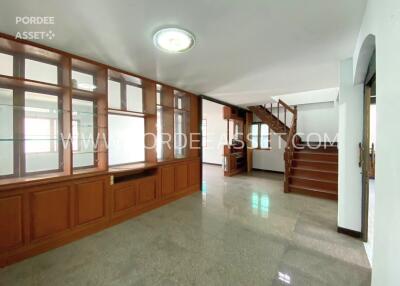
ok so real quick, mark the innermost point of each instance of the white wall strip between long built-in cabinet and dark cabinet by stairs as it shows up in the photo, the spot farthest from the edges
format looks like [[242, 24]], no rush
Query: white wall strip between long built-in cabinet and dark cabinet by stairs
[[216, 132]]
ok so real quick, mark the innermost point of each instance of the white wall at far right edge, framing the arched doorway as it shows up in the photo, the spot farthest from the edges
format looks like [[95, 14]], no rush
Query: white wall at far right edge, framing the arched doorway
[[382, 18]]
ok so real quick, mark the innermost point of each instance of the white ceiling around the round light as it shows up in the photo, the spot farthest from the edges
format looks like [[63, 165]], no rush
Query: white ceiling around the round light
[[246, 51]]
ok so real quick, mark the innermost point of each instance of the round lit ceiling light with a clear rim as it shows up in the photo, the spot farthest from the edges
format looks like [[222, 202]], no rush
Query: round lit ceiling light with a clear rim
[[173, 40]]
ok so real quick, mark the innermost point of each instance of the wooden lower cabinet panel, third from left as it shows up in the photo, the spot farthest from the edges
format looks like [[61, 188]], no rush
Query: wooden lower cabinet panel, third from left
[[90, 201]]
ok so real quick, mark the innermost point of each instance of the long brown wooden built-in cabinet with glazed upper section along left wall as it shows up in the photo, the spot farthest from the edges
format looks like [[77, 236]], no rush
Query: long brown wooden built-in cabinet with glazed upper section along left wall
[[42, 210]]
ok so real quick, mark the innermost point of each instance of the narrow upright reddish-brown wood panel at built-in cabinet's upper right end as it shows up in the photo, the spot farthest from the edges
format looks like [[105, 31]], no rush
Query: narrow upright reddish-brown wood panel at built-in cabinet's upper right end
[[195, 120]]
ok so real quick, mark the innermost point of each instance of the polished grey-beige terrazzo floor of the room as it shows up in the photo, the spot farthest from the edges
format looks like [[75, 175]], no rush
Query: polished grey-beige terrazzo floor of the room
[[238, 231]]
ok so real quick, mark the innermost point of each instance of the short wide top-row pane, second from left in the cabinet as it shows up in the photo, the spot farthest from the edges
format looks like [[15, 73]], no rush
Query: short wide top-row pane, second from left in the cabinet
[[41, 71]]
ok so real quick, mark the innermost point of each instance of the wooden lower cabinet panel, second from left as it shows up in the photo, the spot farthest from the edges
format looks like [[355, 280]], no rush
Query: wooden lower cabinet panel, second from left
[[50, 211]]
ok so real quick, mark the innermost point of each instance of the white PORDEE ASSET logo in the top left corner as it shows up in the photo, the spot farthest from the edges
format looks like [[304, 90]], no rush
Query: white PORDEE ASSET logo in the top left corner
[[33, 21]]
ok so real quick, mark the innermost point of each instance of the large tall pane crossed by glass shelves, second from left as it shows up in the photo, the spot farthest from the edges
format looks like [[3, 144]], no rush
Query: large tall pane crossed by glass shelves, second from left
[[41, 132]]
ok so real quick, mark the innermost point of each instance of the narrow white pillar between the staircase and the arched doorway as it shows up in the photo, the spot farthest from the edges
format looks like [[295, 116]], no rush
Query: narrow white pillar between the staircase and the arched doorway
[[350, 134]]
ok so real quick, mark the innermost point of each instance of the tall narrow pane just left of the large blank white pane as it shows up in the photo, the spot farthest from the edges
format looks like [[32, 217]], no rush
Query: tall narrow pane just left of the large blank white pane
[[83, 137]]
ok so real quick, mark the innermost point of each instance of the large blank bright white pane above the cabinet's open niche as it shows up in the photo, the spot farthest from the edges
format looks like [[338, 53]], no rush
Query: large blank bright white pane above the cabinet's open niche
[[126, 139]]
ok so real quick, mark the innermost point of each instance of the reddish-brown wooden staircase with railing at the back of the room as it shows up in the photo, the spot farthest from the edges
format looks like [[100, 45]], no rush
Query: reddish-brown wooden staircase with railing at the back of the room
[[310, 169]]
